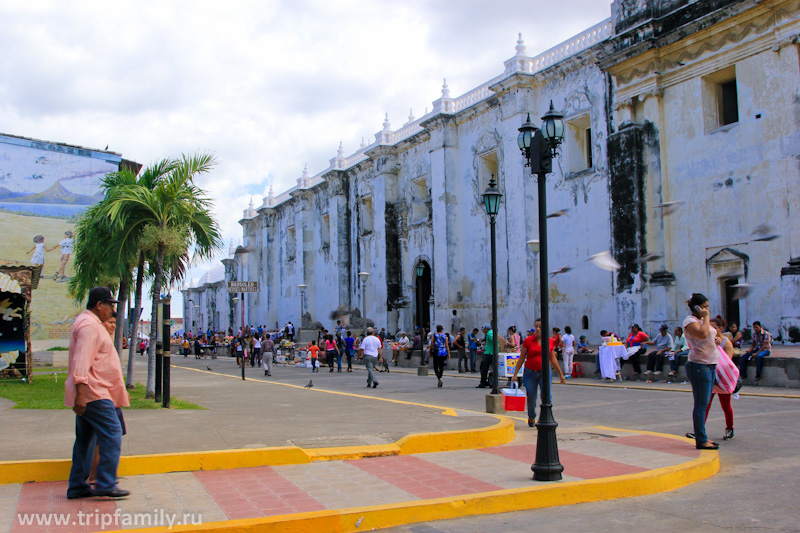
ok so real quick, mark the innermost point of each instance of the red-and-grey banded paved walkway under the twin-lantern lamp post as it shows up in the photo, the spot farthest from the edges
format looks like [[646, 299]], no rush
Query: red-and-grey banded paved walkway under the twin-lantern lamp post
[[294, 494]]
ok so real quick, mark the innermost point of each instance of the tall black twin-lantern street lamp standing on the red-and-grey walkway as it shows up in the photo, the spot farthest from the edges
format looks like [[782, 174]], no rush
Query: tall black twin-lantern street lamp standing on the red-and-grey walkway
[[539, 147]]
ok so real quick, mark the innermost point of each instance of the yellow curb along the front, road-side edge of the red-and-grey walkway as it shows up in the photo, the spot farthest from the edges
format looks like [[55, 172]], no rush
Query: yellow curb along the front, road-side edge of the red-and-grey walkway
[[502, 501]]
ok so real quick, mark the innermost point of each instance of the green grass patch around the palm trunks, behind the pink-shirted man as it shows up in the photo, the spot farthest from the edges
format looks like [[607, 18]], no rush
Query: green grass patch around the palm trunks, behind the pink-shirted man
[[44, 392]]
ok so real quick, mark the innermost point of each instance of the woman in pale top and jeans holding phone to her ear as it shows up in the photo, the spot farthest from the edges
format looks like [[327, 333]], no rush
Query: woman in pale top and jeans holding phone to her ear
[[701, 365]]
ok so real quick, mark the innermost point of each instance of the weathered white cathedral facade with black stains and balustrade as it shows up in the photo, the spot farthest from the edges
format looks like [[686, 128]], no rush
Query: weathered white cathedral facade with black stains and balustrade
[[681, 158]]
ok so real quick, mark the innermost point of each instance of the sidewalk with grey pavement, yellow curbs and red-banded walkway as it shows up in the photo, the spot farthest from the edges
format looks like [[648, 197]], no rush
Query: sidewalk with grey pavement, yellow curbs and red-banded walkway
[[331, 485]]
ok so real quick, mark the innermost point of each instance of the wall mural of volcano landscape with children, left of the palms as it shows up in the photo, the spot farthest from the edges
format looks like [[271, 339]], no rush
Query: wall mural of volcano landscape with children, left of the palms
[[44, 188]]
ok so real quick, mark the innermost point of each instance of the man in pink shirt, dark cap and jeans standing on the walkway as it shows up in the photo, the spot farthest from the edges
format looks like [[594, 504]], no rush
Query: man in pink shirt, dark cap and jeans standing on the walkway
[[94, 389]]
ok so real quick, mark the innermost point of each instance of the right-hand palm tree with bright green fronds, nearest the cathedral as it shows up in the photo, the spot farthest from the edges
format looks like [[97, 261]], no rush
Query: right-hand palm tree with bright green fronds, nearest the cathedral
[[167, 218]]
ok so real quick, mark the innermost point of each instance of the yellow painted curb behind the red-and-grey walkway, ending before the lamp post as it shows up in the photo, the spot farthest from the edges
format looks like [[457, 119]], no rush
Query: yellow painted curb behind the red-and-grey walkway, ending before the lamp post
[[133, 465]]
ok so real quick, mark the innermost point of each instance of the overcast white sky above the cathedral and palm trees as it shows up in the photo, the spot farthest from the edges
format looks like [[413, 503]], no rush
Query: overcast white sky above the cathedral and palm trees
[[266, 86]]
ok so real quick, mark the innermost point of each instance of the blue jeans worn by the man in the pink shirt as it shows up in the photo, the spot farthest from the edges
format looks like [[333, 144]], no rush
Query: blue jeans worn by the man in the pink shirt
[[98, 424]]
